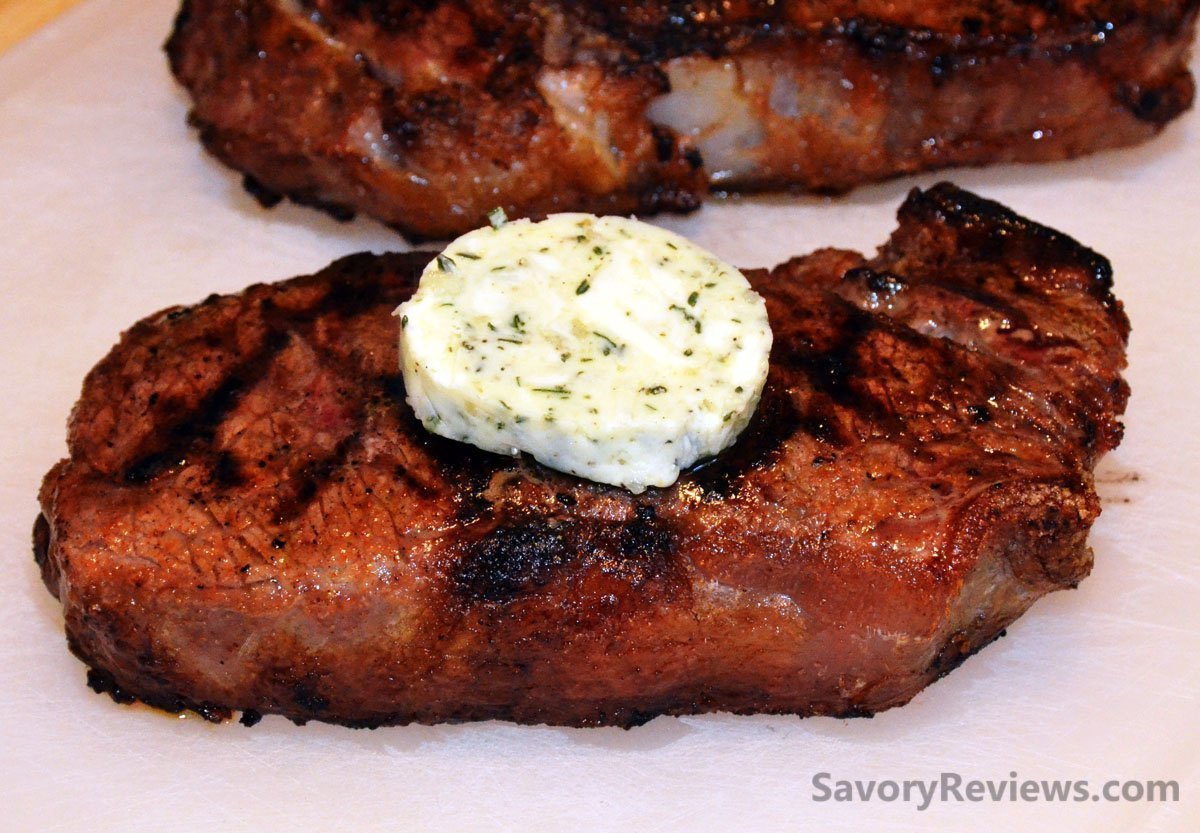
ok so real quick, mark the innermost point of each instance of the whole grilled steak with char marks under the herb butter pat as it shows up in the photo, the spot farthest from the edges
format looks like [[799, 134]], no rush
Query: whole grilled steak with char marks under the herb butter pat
[[251, 519]]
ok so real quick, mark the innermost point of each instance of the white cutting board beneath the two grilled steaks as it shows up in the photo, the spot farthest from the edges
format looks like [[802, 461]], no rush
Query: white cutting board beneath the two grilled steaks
[[111, 212]]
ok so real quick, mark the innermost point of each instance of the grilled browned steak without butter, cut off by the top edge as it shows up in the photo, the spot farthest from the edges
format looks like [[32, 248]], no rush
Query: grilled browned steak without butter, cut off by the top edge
[[429, 115]]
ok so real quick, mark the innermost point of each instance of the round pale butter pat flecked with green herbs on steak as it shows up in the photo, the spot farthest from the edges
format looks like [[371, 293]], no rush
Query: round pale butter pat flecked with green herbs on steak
[[602, 346]]
